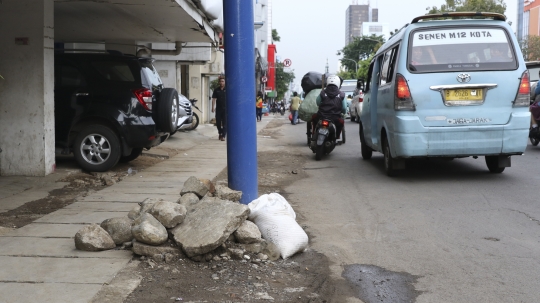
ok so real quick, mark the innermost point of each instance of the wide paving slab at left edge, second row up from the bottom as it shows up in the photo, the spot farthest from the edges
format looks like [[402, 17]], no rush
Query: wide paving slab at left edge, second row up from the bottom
[[59, 270]]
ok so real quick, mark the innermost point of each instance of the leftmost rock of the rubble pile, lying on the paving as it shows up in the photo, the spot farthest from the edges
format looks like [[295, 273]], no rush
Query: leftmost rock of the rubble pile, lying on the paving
[[93, 238]]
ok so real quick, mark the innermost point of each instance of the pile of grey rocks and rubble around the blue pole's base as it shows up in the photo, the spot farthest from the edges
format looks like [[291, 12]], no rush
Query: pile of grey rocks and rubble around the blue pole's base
[[206, 223]]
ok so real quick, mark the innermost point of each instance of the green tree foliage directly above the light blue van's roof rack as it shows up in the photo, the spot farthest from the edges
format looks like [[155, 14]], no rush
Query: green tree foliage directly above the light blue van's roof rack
[[493, 6]]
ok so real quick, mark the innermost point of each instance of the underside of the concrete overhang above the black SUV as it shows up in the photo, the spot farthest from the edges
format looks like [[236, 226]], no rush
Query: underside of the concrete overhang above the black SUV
[[130, 20]]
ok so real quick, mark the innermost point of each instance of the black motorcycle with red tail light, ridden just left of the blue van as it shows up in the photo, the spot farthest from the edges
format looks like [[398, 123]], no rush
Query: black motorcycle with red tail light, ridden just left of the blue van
[[322, 139]]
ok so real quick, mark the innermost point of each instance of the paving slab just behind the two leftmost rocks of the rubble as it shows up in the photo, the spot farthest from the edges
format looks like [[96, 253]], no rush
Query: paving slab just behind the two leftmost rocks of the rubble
[[82, 216]]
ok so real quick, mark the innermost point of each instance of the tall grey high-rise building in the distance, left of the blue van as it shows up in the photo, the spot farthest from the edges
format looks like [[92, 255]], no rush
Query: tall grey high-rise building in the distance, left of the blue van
[[355, 16]]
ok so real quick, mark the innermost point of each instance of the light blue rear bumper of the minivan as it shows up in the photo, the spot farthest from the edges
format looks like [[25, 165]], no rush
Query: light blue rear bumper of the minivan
[[415, 140]]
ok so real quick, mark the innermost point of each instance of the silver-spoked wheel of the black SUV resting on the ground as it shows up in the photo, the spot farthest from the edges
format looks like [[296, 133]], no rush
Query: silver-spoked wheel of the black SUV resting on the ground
[[97, 148]]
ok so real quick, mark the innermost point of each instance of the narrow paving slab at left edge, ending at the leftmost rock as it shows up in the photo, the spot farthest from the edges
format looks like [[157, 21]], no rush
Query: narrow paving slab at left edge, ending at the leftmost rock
[[47, 230]]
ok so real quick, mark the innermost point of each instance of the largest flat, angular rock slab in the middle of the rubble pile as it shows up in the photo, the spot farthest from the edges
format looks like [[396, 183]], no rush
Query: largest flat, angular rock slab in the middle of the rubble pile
[[208, 225]]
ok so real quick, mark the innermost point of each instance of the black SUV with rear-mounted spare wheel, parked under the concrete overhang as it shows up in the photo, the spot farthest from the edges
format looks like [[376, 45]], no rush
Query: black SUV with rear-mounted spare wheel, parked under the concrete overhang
[[109, 107]]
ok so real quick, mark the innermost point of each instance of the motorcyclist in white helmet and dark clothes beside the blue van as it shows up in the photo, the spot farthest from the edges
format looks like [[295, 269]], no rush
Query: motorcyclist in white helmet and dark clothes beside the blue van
[[332, 103]]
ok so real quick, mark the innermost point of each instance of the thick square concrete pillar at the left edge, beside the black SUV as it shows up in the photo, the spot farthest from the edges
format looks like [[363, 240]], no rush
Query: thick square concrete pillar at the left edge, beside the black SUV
[[27, 91]]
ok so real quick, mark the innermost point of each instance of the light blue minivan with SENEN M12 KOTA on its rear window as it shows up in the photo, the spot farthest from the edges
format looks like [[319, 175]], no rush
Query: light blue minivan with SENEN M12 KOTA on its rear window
[[455, 87]]
